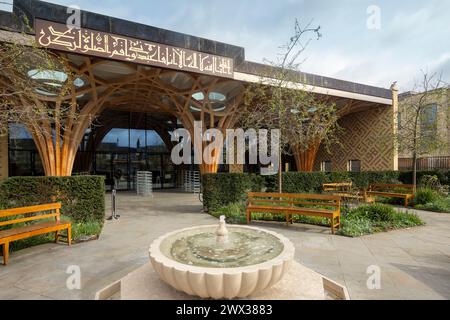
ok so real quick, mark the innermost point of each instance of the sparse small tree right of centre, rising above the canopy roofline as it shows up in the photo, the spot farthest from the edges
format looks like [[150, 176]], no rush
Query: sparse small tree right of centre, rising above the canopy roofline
[[280, 100]]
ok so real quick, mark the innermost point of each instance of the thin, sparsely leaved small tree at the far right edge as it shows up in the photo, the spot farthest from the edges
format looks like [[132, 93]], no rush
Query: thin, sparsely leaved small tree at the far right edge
[[419, 133]]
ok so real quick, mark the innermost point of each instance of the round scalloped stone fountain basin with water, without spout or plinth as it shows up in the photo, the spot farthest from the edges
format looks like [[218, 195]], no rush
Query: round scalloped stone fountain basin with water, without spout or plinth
[[248, 261]]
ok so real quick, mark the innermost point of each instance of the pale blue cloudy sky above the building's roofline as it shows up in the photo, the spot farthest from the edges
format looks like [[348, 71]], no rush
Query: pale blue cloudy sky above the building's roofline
[[409, 36]]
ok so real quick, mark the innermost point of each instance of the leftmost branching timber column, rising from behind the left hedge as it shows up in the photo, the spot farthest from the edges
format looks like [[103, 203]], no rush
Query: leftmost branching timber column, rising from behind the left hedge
[[58, 143]]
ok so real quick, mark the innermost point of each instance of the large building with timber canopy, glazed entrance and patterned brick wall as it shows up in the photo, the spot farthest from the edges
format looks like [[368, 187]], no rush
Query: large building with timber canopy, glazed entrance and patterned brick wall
[[151, 98]]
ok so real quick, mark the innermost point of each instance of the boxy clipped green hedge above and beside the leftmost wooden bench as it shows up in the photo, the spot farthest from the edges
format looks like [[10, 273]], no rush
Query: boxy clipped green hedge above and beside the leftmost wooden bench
[[82, 198]]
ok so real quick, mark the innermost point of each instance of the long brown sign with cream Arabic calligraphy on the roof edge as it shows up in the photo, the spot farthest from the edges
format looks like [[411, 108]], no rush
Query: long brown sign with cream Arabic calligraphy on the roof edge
[[100, 44]]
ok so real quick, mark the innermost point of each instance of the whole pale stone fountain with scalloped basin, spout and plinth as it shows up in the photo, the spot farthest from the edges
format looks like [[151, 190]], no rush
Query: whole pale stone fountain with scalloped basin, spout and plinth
[[223, 262]]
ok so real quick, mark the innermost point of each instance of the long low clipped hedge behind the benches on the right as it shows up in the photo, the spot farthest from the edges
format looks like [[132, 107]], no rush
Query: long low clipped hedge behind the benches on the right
[[223, 189]]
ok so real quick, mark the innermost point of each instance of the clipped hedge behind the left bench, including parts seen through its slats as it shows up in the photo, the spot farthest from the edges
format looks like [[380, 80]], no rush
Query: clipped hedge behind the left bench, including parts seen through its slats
[[82, 199]]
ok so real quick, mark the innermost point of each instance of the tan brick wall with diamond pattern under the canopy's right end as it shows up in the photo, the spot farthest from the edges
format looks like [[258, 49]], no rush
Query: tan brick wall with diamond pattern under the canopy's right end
[[367, 136]]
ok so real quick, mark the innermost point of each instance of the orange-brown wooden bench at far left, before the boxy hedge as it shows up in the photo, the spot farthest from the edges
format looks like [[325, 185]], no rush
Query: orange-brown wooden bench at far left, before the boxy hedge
[[10, 217]]
